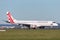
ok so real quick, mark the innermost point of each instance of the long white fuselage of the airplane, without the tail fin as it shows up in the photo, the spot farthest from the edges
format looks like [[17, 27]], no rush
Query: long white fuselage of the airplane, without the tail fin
[[38, 23]]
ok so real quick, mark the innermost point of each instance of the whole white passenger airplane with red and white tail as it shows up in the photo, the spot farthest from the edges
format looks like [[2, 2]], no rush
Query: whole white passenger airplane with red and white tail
[[30, 24]]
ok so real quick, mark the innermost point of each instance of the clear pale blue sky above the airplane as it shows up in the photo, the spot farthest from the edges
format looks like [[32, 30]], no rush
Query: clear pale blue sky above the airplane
[[30, 9]]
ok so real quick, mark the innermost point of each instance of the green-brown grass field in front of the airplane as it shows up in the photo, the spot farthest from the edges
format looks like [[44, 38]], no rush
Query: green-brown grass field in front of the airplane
[[25, 34]]
